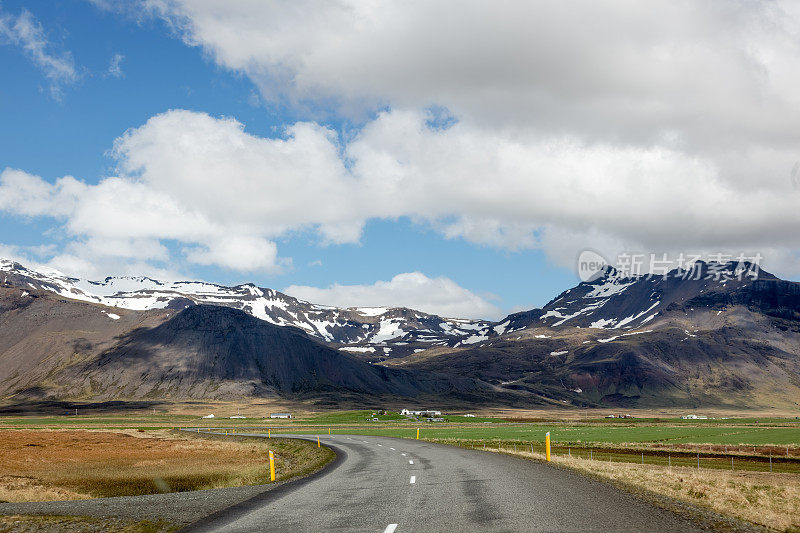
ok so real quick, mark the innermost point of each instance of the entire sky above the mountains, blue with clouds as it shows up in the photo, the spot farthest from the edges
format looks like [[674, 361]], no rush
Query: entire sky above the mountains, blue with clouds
[[454, 156]]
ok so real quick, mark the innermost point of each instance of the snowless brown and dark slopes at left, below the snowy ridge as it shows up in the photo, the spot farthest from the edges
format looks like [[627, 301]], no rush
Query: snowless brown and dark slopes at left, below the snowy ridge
[[66, 349]]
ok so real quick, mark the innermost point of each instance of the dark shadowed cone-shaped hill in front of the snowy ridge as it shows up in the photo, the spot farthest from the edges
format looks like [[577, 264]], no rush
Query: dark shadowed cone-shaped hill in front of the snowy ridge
[[220, 352]]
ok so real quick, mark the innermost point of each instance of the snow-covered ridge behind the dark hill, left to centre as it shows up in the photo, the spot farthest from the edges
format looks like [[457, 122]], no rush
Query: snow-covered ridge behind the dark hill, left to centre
[[373, 332]]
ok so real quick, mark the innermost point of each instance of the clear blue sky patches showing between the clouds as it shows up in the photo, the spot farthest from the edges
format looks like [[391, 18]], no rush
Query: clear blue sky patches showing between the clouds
[[70, 135]]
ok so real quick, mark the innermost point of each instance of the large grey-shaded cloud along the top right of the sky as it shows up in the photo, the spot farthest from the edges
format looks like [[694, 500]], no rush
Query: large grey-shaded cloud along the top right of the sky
[[699, 74]]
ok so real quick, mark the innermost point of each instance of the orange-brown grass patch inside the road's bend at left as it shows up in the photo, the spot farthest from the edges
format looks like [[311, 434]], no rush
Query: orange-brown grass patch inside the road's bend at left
[[40, 465]]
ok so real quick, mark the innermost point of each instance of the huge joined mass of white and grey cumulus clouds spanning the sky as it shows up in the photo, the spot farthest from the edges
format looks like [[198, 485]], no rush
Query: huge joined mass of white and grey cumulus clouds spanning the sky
[[659, 127]]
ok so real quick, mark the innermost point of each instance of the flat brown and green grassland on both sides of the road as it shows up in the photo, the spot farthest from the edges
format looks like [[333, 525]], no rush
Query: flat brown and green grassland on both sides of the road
[[749, 467]]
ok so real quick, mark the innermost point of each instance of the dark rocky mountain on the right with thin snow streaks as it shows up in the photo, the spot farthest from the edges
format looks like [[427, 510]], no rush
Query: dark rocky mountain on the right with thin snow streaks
[[646, 341]]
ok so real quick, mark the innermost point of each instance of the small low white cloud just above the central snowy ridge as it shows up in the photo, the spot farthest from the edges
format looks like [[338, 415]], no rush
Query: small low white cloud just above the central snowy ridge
[[440, 296]]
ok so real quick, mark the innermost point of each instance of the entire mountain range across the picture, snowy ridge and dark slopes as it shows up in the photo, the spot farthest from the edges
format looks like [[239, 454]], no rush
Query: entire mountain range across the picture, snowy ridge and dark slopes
[[707, 337]]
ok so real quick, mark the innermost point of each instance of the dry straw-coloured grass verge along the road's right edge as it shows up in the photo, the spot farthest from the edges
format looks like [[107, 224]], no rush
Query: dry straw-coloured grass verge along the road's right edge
[[769, 500]]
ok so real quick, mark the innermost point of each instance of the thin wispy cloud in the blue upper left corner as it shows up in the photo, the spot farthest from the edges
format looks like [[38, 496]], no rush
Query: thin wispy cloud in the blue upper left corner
[[26, 32]]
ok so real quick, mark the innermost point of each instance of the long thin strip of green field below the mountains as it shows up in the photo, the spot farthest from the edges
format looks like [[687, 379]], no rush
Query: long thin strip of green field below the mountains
[[648, 432]]
